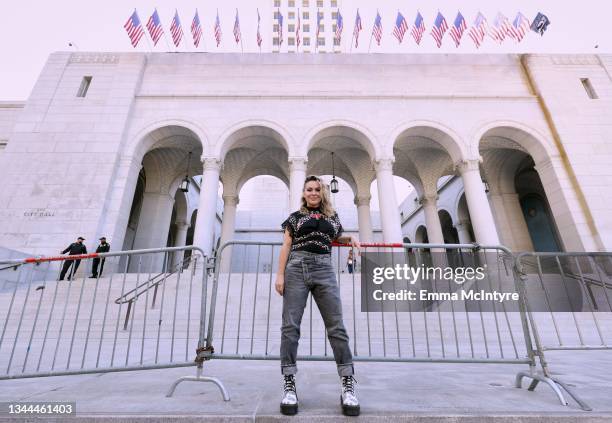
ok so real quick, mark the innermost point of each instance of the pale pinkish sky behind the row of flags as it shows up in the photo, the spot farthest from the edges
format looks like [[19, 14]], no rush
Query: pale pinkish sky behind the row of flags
[[31, 30]]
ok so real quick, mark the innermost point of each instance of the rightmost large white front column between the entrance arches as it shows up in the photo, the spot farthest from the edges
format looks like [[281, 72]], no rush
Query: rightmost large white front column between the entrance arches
[[478, 204]]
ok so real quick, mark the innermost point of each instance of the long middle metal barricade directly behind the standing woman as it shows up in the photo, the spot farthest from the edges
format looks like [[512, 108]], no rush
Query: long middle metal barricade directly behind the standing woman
[[245, 312]]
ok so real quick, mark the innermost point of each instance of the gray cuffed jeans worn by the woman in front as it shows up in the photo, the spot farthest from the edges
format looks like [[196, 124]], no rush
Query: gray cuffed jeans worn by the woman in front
[[309, 272]]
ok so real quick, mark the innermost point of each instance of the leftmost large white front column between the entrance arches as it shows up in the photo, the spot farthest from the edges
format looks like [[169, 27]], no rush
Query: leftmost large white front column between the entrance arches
[[207, 206]]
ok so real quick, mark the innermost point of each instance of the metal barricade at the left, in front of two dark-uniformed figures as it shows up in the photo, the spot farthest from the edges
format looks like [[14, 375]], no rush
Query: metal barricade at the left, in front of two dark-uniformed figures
[[82, 325]]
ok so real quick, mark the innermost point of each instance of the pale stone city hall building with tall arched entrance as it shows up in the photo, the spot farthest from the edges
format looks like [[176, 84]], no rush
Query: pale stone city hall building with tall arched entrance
[[500, 149]]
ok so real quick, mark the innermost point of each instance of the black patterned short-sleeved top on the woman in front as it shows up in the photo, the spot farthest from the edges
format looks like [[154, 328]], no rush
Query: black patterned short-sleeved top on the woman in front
[[312, 231]]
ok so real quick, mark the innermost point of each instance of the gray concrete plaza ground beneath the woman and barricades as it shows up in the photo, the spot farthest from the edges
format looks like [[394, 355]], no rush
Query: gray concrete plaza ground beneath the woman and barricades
[[412, 392]]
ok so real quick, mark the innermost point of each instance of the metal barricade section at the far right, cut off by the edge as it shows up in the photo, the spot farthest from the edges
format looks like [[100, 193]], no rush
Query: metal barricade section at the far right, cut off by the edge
[[569, 305]]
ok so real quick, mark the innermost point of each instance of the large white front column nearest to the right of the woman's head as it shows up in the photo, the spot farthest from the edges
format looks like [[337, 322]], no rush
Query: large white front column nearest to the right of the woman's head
[[389, 211]]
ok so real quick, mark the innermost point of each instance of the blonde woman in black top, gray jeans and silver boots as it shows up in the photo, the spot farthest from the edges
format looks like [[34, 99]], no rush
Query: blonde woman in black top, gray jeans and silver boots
[[305, 267]]
